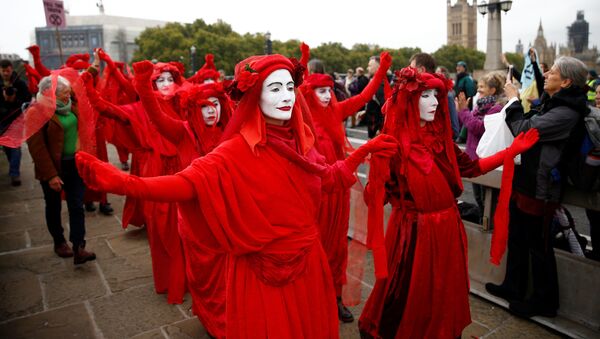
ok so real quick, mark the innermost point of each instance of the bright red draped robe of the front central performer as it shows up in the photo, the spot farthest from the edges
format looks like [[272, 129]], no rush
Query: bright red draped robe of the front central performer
[[261, 209]]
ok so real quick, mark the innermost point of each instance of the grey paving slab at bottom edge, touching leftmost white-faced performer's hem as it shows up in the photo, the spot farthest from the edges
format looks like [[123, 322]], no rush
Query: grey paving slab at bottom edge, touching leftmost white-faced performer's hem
[[133, 311]]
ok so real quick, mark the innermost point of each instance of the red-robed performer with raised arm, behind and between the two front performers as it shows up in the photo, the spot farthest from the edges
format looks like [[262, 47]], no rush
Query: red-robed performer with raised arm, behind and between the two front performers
[[327, 115]]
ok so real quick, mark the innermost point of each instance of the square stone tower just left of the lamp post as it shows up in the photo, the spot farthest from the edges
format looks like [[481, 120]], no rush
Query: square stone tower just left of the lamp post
[[462, 23]]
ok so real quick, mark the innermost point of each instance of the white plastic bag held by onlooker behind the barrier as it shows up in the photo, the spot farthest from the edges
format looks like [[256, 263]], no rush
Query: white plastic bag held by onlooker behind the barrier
[[497, 136]]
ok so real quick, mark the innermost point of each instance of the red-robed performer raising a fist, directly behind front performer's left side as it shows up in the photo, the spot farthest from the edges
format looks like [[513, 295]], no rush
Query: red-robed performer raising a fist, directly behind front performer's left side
[[208, 110]]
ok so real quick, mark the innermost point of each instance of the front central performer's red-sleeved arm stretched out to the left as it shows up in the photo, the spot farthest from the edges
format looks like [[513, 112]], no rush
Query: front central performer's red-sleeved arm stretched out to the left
[[104, 177]]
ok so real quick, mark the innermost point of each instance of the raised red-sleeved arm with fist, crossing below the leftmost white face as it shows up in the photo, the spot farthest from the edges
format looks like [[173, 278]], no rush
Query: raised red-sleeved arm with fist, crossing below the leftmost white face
[[170, 128]]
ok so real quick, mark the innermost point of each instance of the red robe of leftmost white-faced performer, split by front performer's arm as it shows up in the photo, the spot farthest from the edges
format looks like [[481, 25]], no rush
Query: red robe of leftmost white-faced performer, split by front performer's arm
[[153, 155]]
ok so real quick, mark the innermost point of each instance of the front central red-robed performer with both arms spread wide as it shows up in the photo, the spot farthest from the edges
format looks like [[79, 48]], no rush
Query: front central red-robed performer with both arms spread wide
[[256, 198]]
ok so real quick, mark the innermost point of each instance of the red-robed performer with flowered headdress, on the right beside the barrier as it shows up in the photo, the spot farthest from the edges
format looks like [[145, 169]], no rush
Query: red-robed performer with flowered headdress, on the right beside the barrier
[[422, 290]]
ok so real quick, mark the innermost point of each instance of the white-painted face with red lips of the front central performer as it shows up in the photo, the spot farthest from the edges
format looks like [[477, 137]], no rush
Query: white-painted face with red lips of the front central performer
[[277, 97]]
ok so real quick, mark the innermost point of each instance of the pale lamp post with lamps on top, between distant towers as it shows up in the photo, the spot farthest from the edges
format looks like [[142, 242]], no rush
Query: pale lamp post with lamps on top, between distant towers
[[494, 42]]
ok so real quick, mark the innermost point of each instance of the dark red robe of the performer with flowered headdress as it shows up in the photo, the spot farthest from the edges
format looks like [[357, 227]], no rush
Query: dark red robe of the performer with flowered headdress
[[426, 293]]
